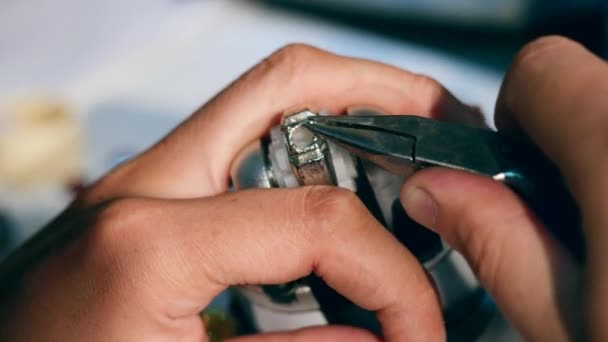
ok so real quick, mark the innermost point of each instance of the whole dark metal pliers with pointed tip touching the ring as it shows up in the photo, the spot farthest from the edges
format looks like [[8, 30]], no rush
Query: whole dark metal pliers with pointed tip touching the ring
[[402, 143]]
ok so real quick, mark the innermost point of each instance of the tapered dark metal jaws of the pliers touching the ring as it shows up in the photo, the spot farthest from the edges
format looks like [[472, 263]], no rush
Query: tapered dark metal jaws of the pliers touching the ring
[[393, 141]]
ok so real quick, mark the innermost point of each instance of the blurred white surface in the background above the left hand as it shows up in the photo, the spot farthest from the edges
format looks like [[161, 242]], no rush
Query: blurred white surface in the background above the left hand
[[180, 53]]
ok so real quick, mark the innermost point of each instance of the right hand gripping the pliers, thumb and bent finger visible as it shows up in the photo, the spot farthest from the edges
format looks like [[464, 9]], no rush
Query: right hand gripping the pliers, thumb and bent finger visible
[[556, 92]]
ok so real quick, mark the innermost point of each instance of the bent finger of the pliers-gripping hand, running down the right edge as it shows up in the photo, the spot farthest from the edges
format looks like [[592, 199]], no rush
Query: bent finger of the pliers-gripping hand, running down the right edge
[[556, 93]]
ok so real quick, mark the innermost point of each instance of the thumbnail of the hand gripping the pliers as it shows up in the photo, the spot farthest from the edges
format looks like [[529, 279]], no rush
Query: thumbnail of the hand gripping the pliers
[[420, 206]]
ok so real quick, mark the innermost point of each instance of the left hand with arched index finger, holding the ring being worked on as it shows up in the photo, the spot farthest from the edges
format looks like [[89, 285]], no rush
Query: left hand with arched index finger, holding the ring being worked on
[[165, 237]]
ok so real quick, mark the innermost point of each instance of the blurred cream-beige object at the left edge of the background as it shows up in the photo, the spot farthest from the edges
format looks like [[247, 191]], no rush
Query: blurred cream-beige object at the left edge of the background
[[41, 144]]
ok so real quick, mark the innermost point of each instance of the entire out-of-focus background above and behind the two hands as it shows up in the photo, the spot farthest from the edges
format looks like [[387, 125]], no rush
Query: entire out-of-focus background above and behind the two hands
[[85, 84]]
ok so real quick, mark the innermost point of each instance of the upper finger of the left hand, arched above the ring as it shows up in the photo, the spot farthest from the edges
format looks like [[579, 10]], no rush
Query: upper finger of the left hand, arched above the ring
[[194, 160]]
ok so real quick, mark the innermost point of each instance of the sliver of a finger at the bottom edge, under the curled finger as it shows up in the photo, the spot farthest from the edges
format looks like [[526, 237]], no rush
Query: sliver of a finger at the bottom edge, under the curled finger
[[317, 334]]
